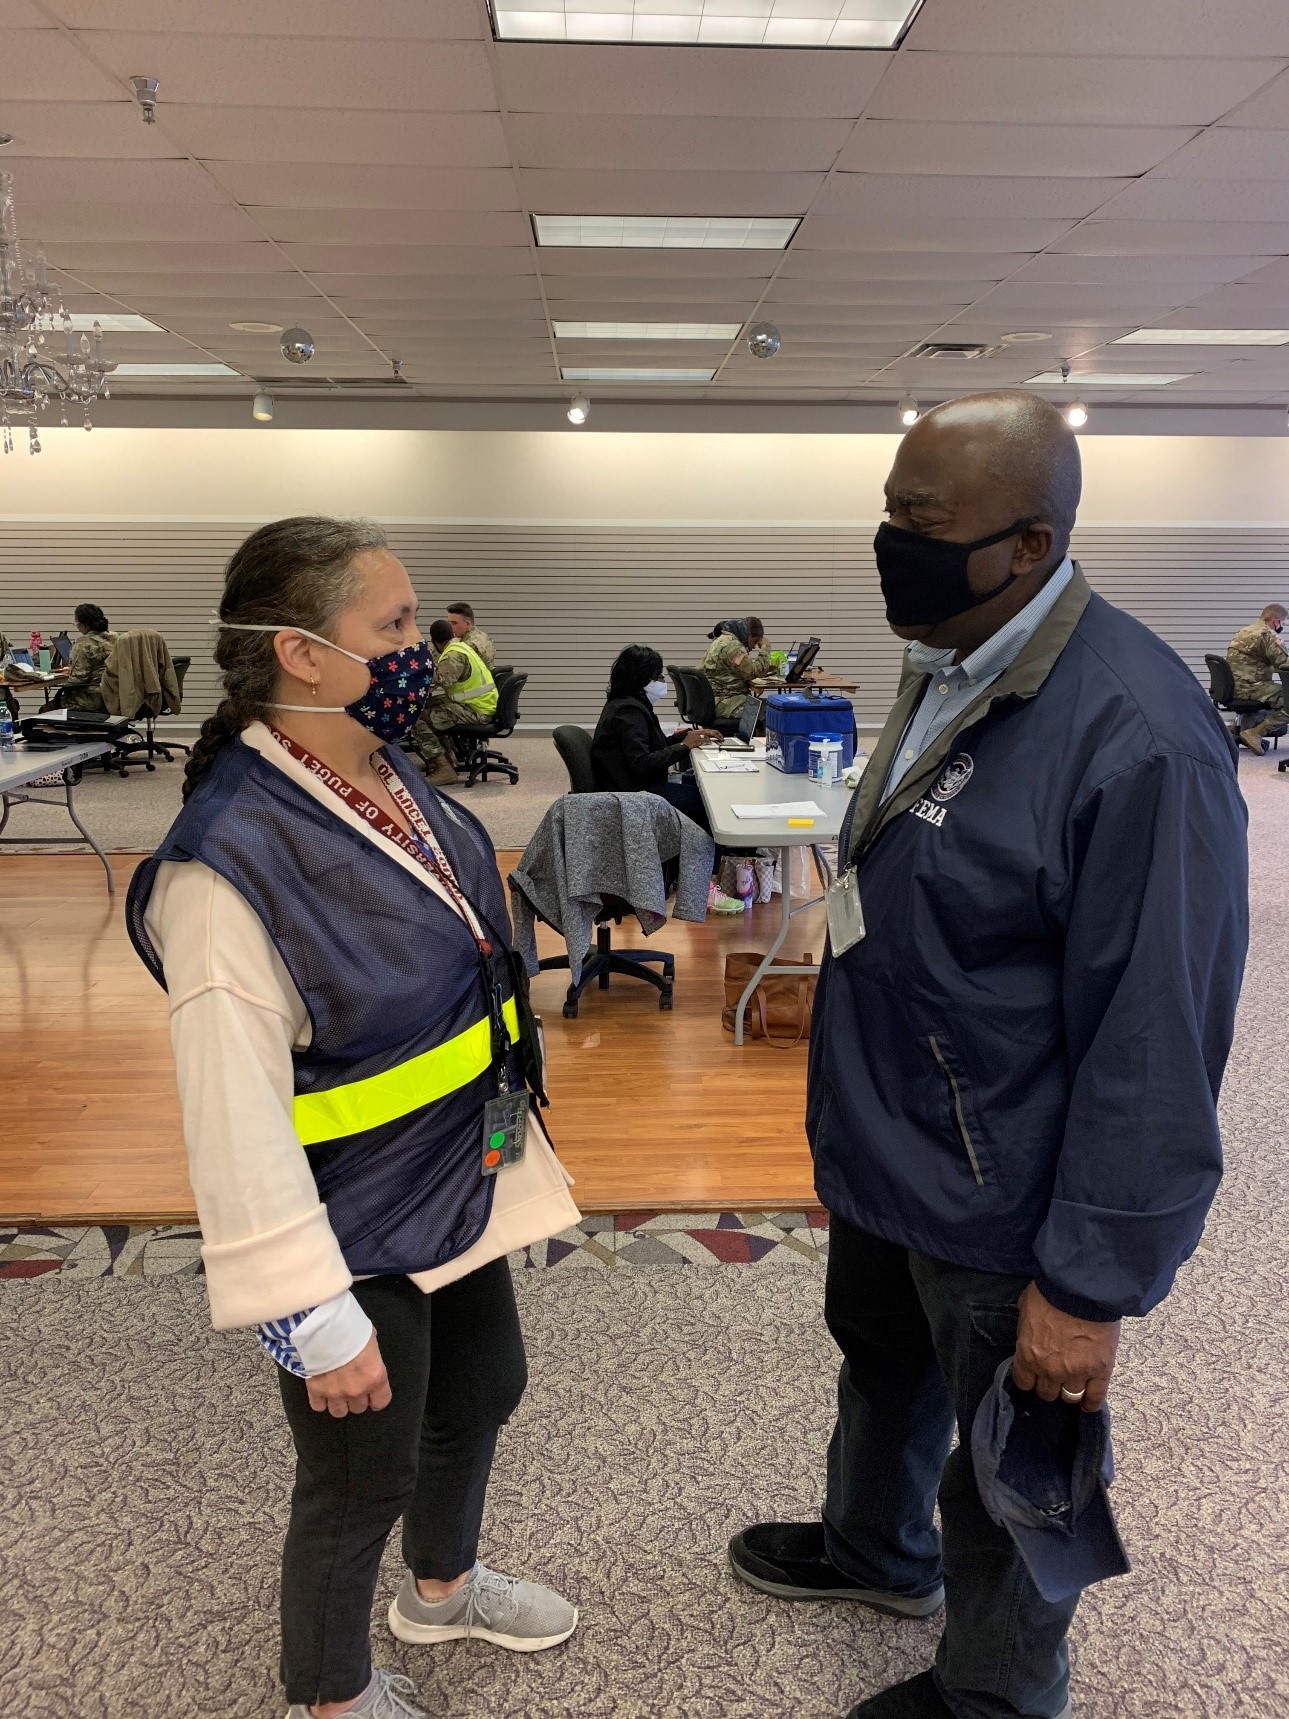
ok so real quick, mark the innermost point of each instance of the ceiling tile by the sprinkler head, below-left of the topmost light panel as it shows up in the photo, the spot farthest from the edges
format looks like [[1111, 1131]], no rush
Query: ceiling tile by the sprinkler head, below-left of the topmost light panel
[[302, 71]]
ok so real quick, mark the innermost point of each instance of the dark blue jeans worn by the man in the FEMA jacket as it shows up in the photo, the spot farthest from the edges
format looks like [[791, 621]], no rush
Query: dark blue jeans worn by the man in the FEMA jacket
[[922, 1342]]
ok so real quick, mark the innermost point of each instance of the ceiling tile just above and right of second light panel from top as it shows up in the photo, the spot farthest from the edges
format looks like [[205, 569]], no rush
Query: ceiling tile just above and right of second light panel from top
[[864, 197]]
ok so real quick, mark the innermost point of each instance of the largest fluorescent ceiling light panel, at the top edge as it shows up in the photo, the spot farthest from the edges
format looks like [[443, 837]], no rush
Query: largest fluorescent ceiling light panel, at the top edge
[[709, 23]]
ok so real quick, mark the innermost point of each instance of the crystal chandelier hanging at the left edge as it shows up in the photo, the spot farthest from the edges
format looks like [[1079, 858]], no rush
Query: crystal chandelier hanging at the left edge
[[30, 310]]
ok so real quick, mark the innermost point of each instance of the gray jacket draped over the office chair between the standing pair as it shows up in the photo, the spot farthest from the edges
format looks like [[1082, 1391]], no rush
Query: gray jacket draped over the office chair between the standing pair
[[590, 847]]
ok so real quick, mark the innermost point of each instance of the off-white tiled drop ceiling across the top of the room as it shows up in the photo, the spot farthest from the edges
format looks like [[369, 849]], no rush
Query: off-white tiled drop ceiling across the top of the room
[[1080, 169]]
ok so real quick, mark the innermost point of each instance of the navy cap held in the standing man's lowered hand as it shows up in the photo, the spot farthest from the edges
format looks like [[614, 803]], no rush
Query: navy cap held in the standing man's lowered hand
[[1042, 1471]]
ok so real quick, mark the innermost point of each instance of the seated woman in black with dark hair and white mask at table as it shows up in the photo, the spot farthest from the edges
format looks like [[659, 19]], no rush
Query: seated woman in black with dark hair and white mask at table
[[630, 750]]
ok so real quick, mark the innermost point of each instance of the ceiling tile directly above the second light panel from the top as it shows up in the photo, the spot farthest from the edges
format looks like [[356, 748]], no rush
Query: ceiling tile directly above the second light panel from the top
[[669, 193]]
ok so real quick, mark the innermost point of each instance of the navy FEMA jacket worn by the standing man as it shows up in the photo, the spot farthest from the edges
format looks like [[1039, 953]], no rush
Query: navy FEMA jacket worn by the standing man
[[1018, 1067]]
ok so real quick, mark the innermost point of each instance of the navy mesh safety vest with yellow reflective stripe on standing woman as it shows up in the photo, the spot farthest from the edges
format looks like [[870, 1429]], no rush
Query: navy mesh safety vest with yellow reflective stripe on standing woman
[[391, 1089]]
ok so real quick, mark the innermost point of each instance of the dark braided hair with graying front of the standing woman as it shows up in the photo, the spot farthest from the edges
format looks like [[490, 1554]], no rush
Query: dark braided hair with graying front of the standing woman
[[296, 573]]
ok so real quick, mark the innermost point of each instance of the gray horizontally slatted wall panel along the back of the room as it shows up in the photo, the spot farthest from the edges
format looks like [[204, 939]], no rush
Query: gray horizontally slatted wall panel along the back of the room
[[561, 601]]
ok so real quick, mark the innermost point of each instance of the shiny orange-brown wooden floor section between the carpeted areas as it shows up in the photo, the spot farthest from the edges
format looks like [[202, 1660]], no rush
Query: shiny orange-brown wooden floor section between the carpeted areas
[[651, 1111]]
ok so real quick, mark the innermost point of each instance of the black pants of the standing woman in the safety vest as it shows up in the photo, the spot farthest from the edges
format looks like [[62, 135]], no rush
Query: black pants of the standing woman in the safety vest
[[456, 1366]]
